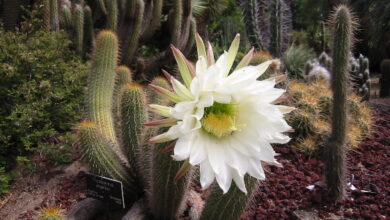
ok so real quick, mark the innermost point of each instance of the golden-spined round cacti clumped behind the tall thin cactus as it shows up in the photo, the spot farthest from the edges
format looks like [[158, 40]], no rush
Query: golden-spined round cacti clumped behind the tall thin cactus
[[314, 100]]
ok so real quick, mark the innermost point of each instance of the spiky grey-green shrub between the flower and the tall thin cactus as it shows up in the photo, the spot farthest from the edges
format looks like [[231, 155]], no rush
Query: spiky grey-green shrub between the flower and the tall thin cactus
[[295, 59]]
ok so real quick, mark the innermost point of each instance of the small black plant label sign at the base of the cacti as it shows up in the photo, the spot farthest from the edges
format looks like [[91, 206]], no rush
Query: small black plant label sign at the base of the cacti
[[105, 189]]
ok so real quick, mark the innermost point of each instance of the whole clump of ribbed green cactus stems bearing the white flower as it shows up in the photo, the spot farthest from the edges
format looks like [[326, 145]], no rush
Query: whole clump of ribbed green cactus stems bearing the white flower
[[119, 150]]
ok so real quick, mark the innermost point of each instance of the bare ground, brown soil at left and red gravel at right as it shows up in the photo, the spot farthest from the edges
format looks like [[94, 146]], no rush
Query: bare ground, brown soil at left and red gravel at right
[[284, 194]]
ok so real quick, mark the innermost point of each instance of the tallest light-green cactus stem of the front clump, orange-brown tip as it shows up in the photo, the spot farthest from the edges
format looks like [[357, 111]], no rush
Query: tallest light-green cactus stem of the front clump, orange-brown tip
[[101, 83]]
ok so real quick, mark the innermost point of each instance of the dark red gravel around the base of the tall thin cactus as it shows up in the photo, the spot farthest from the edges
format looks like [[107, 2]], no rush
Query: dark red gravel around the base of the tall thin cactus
[[285, 190]]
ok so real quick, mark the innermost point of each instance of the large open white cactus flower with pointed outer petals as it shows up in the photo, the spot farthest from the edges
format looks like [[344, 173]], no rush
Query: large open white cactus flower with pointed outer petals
[[225, 123]]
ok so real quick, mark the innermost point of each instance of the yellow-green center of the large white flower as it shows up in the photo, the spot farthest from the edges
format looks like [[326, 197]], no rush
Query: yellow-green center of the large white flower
[[220, 119]]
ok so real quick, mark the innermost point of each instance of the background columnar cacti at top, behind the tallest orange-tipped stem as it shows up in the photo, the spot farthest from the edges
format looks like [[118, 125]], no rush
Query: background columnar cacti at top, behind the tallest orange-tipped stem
[[135, 22]]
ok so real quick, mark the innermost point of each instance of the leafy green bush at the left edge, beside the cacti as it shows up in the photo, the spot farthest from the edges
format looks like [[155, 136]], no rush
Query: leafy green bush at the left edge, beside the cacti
[[41, 90]]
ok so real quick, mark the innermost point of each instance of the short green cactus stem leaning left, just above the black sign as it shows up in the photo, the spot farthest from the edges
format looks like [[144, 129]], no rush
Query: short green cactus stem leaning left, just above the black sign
[[100, 157]]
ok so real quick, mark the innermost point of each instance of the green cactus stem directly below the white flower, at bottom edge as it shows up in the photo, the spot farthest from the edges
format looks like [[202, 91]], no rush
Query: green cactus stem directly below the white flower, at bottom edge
[[231, 205]]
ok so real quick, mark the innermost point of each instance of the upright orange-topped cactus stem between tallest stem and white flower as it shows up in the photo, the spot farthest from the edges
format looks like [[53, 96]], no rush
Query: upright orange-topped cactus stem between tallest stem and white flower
[[133, 116]]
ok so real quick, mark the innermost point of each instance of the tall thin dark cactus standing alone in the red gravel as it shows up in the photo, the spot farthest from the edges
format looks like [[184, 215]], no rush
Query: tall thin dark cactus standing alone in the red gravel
[[342, 42]]
